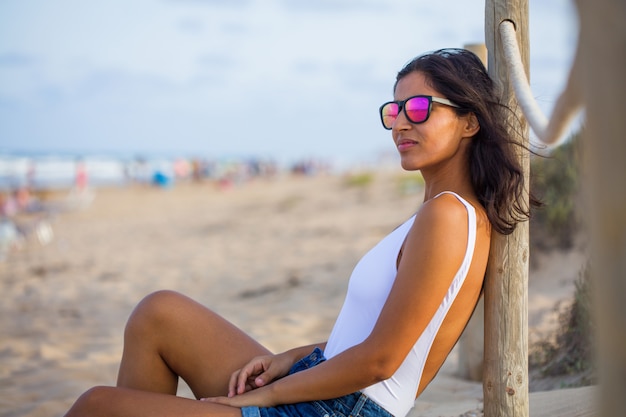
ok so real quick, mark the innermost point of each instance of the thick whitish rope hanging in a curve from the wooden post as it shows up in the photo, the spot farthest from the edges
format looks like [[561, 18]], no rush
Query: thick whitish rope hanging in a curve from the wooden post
[[568, 104]]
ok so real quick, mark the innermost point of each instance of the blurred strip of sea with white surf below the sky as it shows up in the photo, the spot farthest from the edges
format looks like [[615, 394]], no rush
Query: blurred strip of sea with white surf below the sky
[[49, 169]]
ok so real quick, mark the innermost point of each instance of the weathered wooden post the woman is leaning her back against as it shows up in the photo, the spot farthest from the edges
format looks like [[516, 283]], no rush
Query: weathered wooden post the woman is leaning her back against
[[505, 379]]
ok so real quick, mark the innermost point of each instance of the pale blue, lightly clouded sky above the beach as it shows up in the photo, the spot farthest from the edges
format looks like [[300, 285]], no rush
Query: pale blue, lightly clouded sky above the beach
[[285, 79]]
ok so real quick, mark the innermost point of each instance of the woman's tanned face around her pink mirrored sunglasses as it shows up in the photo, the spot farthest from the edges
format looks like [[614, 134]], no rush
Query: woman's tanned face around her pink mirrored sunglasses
[[441, 139]]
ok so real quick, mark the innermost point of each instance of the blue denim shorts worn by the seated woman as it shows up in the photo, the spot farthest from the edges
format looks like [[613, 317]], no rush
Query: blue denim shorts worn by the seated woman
[[351, 405]]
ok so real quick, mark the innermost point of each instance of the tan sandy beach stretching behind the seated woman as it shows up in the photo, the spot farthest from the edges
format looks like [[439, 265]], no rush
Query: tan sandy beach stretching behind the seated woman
[[273, 255]]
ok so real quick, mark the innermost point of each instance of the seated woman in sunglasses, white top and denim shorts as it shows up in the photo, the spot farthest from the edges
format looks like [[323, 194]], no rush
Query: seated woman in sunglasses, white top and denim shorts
[[408, 300]]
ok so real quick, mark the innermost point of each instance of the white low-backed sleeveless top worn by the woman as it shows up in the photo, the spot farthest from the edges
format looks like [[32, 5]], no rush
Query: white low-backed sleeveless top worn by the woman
[[368, 289]]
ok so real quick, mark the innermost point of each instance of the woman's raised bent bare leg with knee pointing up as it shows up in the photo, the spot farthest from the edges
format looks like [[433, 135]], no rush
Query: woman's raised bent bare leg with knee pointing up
[[190, 340]]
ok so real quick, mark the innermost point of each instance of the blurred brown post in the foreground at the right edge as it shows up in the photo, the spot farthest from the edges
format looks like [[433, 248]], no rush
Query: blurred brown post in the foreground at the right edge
[[601, 65]]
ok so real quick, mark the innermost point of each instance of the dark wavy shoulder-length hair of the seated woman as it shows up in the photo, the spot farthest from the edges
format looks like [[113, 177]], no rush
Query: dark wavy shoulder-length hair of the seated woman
[[495, 171]]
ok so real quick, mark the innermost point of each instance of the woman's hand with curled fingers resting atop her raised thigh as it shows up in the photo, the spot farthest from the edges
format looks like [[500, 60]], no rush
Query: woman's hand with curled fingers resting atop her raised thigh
[[259, 372]]
